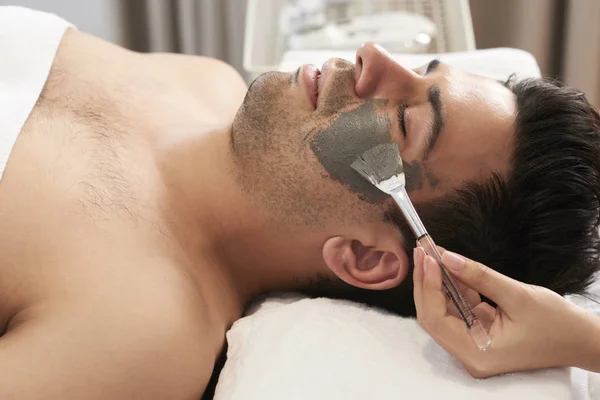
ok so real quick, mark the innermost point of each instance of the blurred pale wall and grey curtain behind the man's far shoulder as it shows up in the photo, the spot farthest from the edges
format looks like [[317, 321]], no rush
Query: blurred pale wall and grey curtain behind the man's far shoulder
[[213, 28]]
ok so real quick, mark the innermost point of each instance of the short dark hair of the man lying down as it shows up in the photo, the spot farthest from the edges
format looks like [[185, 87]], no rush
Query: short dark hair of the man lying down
[[540, 224]]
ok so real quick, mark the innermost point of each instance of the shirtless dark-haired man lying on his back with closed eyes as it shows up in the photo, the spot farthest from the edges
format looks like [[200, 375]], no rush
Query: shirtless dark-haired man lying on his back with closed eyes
[[149, 198]]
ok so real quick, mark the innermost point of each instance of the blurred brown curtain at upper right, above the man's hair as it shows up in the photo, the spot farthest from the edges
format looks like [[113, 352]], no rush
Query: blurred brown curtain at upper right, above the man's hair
[[563, 35]]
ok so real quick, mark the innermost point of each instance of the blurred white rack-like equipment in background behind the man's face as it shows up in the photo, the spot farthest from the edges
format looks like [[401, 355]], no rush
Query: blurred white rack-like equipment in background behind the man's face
[[274, 27]]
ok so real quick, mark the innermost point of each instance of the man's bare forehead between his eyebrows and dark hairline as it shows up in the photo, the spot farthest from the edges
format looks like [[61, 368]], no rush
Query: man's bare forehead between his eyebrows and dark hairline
[[479, 115]]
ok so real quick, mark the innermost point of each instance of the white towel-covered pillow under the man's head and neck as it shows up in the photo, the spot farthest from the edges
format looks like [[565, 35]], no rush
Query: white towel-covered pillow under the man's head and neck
[[297, 348]]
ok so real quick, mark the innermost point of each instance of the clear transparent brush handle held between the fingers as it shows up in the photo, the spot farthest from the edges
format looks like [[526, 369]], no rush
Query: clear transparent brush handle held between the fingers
[[476, 329]]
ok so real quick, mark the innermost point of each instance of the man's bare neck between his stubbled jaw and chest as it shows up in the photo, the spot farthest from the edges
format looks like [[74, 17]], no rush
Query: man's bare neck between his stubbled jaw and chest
[[237, 253]]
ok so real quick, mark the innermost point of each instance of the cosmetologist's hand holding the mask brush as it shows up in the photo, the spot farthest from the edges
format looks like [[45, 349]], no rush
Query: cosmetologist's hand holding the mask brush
[[531, 327]]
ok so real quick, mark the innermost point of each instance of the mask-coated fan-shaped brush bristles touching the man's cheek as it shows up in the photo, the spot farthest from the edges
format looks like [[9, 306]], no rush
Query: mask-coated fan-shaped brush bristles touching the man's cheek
[[379, 164]]
